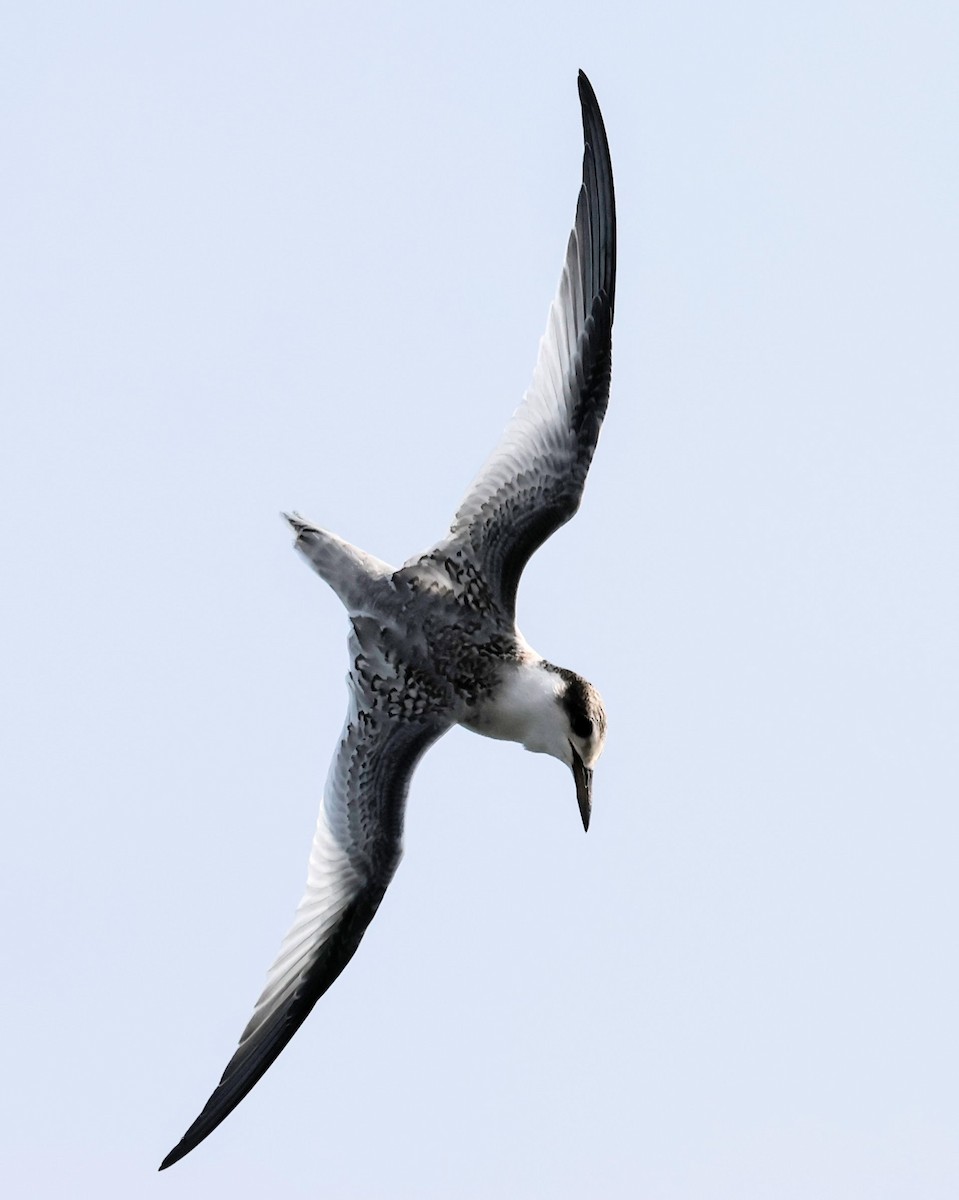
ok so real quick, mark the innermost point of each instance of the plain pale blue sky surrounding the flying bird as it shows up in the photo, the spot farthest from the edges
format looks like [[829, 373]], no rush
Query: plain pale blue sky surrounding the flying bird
[[290, 255]]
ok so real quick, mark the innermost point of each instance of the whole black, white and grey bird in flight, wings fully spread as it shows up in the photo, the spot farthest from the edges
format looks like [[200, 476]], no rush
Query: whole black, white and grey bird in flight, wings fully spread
[[434, 644]]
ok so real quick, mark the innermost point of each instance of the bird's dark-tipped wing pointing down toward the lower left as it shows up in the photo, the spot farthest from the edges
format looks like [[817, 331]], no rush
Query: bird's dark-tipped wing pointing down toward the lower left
[[356, 851]]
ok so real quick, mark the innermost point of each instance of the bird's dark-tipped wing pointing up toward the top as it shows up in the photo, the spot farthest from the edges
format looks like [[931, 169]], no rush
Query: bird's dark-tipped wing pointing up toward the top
[[534, 482]]
